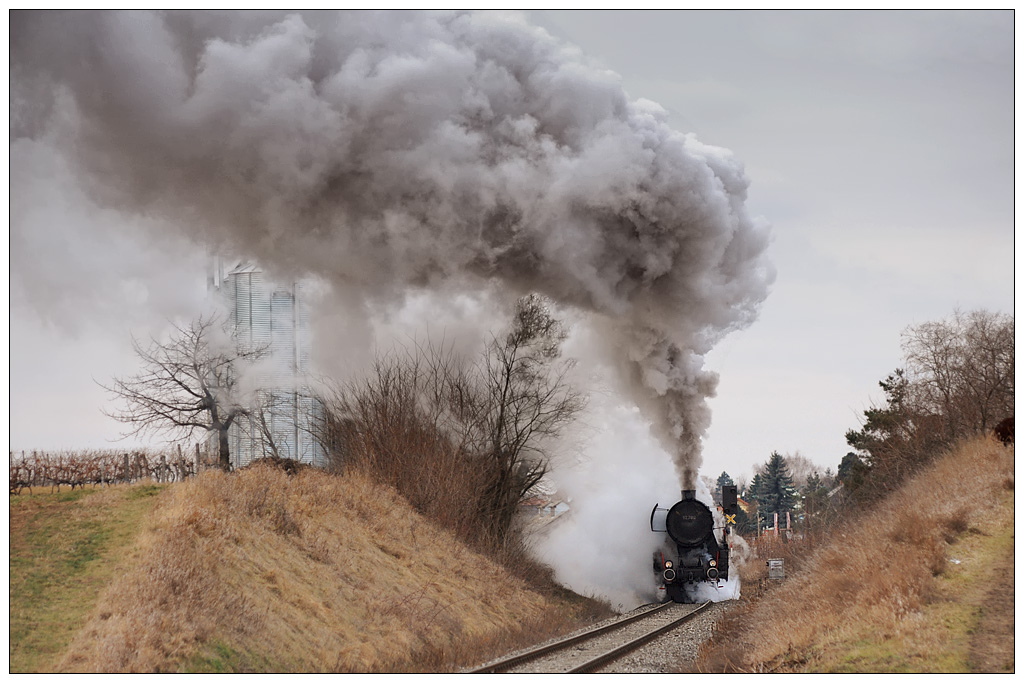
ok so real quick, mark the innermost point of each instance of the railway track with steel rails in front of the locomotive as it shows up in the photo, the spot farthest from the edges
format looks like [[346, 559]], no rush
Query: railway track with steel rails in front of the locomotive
[[599, 648]]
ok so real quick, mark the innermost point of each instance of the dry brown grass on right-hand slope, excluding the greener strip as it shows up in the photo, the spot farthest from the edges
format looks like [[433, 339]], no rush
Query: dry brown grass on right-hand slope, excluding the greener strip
[[866, 592]]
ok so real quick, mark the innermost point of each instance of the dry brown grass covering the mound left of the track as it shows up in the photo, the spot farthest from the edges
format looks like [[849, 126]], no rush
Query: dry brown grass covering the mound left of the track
[[260, 571]]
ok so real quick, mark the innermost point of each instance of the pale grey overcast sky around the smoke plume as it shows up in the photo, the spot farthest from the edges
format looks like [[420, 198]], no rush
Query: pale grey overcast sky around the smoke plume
[[879, 146]]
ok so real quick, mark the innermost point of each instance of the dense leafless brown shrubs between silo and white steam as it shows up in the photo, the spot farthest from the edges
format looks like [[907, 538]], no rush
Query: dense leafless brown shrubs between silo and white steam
[[463, 442]]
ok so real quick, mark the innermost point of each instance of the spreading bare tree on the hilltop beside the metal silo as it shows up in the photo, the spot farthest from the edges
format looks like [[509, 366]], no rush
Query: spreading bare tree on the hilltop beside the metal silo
[[188, 383]]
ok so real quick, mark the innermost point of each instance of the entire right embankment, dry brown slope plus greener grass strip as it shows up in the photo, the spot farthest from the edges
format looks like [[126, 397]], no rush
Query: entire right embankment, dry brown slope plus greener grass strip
[[923, 583]]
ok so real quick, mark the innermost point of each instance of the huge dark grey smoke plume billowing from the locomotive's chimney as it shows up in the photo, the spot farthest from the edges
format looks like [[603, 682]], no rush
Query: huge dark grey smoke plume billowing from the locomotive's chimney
[[390, 152]]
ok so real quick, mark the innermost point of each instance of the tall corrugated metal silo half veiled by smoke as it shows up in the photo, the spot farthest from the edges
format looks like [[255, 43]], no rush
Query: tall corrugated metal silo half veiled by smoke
[[285, 417]]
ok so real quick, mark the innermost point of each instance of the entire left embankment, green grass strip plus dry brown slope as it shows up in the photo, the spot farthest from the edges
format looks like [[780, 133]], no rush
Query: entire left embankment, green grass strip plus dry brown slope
[[259, 571]]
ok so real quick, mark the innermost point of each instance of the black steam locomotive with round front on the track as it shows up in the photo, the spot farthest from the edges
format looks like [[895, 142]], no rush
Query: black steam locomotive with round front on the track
[[693, 554]]
